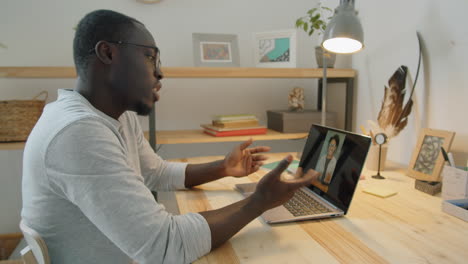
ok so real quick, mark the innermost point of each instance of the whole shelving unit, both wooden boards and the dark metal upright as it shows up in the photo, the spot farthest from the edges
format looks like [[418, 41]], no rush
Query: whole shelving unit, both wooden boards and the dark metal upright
[[195, 136]]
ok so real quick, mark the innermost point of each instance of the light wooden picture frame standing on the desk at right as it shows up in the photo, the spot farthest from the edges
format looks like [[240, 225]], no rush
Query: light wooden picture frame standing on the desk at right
[[427, 160]]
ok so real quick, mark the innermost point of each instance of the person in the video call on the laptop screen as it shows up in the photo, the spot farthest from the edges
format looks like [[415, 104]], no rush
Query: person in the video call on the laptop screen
[[327, 161]]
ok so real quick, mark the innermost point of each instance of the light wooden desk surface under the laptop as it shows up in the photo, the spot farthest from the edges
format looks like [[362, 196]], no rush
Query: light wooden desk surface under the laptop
[[406, 228]]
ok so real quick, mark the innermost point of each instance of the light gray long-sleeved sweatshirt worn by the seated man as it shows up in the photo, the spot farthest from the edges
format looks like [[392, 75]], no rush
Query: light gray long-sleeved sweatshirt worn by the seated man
[[86, 190]]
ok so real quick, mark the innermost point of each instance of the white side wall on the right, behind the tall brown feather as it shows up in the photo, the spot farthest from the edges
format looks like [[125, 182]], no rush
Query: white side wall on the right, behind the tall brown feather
[[441, 94]]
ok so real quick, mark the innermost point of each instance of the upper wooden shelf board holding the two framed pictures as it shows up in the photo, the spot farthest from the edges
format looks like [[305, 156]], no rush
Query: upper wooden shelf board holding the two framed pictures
[[188, 72]]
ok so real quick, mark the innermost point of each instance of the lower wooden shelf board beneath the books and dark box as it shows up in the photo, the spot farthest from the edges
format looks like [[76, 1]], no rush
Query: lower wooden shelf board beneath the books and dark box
[[191, 136]]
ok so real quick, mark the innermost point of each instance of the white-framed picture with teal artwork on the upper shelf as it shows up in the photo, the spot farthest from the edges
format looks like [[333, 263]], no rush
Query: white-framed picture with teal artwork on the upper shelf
[[276, 49]]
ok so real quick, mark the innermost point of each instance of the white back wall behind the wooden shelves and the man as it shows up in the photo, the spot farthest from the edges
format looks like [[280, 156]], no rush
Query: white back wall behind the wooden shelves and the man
[[39, 33]]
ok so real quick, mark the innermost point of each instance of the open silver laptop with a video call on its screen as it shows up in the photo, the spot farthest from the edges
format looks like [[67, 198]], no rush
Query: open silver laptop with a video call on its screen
[[339, 157]]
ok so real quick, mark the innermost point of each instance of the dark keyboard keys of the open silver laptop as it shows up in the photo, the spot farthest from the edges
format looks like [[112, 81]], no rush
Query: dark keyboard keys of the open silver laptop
[[302, 204]]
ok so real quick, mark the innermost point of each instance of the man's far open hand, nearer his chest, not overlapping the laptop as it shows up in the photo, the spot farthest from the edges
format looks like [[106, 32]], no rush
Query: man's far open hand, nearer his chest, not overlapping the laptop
[[241, 161]]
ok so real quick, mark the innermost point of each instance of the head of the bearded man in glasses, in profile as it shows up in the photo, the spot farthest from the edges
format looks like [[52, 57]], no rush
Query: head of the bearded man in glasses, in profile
[[117, 53]]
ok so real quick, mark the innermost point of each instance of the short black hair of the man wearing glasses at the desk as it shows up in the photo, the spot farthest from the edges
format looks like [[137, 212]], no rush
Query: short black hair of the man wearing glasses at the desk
[[94, 27]]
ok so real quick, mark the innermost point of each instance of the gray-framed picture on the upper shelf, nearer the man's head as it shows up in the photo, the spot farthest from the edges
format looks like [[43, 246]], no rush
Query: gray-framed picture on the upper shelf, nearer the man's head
[[215, 50]]
